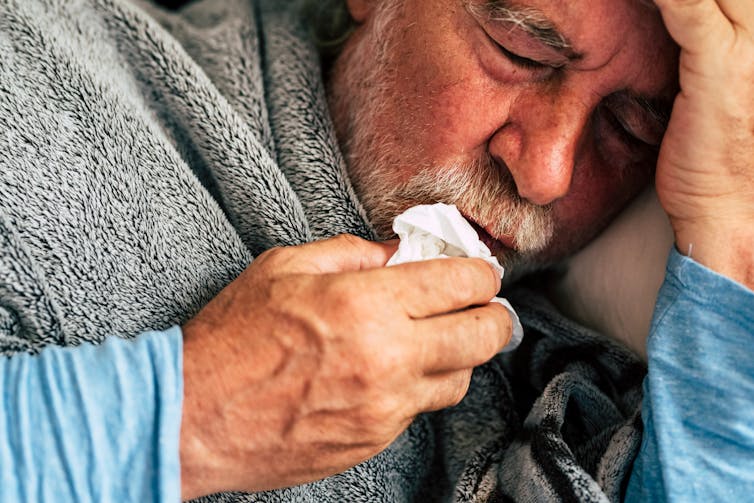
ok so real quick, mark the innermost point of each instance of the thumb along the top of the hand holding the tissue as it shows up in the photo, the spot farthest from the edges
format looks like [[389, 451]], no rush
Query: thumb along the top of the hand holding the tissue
[[344, 253]]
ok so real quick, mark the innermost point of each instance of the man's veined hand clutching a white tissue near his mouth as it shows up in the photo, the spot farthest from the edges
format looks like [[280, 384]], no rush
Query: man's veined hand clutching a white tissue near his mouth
[[317, 357]]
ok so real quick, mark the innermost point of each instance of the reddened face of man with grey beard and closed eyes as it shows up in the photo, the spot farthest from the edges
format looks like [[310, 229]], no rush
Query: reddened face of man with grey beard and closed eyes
[[539, 119]]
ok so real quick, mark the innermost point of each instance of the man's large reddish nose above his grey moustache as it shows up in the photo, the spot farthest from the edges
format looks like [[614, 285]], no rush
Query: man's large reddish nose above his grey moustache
[[539, 143]]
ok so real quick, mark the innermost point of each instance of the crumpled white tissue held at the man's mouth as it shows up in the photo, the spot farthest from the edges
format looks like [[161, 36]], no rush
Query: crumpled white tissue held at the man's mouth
[[438, 231]]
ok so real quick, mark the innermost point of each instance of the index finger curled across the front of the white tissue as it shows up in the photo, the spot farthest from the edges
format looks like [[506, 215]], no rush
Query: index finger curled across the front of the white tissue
[[439, 286]]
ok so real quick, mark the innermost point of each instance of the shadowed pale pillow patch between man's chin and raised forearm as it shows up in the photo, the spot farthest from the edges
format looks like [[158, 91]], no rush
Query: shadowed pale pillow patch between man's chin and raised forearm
[[611, 286]]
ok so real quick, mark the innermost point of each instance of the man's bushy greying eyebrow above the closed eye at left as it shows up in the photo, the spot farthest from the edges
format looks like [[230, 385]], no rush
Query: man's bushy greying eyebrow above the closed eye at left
[[528, 19]]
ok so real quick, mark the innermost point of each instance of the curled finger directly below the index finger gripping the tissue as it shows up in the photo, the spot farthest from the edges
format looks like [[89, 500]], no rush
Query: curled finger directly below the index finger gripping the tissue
[[462, 340]]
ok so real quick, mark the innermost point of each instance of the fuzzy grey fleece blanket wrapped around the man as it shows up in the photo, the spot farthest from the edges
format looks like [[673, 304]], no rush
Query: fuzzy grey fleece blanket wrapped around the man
[[146, 157]]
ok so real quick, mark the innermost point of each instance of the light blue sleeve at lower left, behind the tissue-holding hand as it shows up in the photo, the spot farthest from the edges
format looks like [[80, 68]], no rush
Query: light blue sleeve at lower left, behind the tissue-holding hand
[[93, 423]]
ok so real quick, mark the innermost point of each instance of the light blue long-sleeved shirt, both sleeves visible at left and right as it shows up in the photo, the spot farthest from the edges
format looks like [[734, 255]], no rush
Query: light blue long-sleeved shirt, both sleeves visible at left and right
[[60, 440]]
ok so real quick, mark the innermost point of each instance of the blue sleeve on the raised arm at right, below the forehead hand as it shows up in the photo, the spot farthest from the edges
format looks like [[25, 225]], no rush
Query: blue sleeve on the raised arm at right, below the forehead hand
[[698, 409]]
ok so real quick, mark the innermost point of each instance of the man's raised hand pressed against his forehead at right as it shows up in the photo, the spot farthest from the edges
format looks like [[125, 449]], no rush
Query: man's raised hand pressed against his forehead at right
[[705, 173]]
